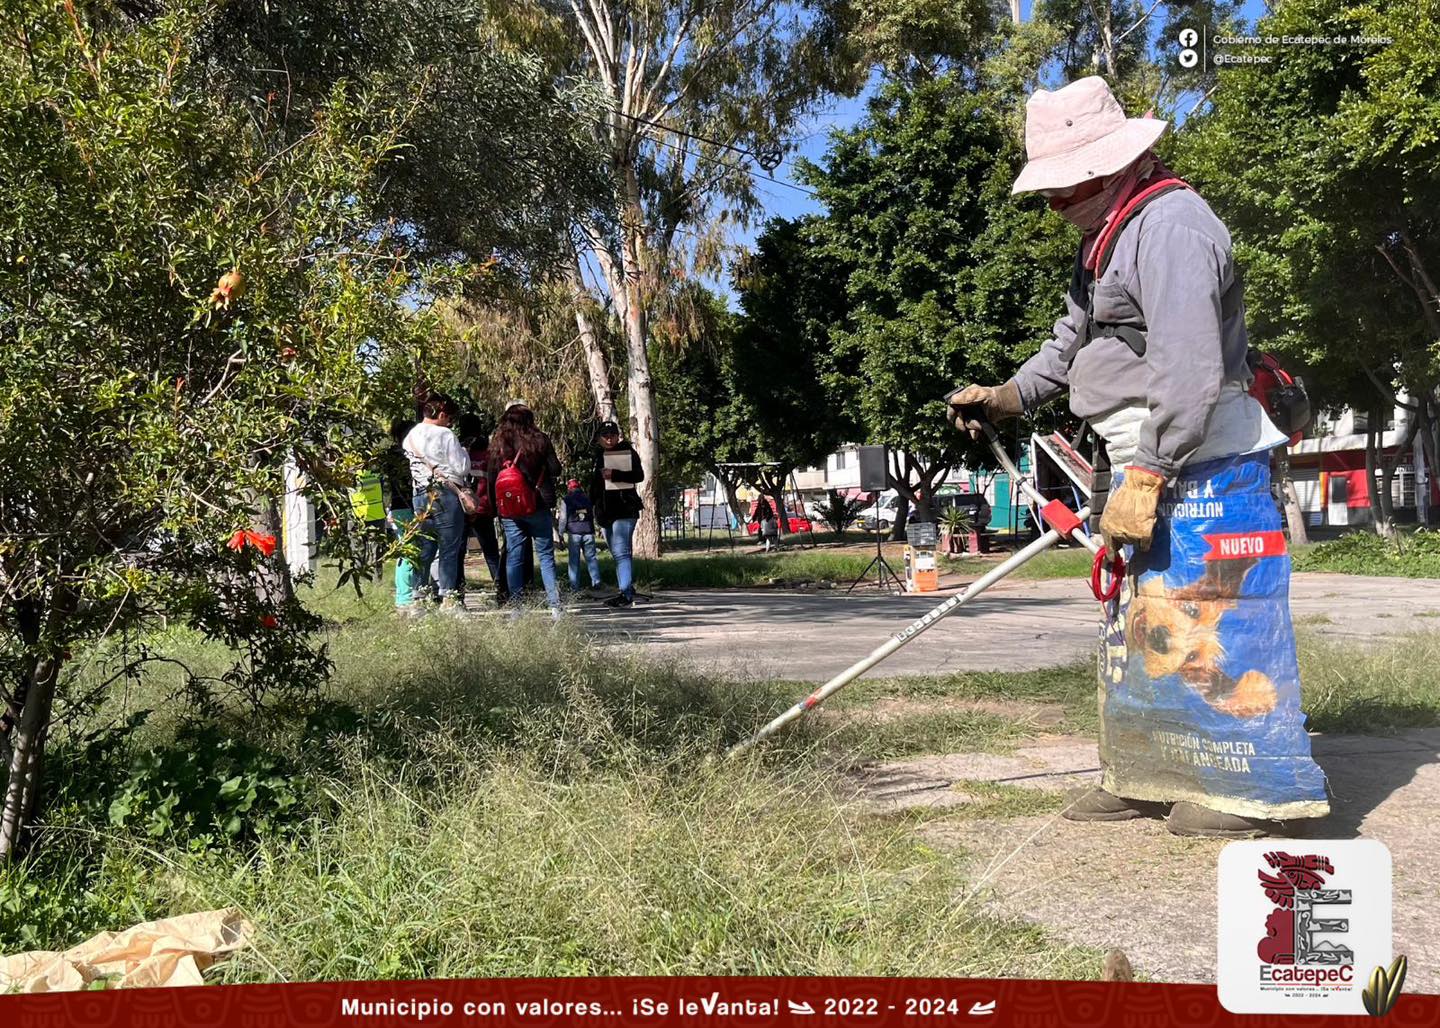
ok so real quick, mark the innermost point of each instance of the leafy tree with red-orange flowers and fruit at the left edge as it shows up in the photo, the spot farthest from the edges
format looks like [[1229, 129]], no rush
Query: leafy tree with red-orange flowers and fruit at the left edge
[[189, 297]]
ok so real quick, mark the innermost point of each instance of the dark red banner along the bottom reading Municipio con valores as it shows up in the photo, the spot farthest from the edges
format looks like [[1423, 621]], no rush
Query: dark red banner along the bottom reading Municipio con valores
[[663, 1003]]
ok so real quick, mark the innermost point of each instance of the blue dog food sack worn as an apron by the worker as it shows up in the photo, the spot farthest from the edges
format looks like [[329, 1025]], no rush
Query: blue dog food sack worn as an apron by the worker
[[1200, 692]]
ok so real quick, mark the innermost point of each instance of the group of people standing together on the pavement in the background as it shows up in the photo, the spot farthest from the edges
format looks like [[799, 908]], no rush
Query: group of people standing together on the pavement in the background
[[456, 479]]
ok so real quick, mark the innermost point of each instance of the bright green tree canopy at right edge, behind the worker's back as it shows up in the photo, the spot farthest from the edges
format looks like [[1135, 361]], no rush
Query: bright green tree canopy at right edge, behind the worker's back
[[1326, 165]]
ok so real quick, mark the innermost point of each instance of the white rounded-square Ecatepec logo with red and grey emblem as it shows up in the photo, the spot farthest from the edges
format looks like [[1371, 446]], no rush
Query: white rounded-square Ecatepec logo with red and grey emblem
[[1302, 925]]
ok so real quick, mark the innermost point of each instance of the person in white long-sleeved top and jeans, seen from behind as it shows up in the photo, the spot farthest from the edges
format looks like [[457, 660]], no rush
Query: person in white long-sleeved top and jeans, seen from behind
[[440, 466]]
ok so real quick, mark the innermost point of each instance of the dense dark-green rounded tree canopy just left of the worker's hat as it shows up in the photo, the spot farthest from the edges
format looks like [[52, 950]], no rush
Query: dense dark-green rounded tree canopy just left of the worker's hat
[[948, 277]]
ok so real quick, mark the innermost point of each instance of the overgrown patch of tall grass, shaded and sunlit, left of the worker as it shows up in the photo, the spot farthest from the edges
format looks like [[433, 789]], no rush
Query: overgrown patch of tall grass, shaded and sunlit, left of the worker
[[510, 800]]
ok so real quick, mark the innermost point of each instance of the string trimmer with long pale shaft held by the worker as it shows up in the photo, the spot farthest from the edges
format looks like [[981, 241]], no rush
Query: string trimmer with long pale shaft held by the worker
[[1063, 523]]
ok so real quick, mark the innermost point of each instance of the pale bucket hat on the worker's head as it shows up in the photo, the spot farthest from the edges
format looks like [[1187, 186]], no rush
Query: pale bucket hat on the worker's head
[[1078, 133]]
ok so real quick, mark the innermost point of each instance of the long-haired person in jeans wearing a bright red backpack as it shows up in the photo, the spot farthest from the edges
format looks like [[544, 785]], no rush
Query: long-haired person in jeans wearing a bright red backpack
[[523, 472]]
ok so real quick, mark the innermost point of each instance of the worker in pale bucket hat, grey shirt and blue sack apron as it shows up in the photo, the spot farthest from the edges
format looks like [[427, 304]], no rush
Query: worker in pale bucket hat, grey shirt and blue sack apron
[[1199, 682]]
